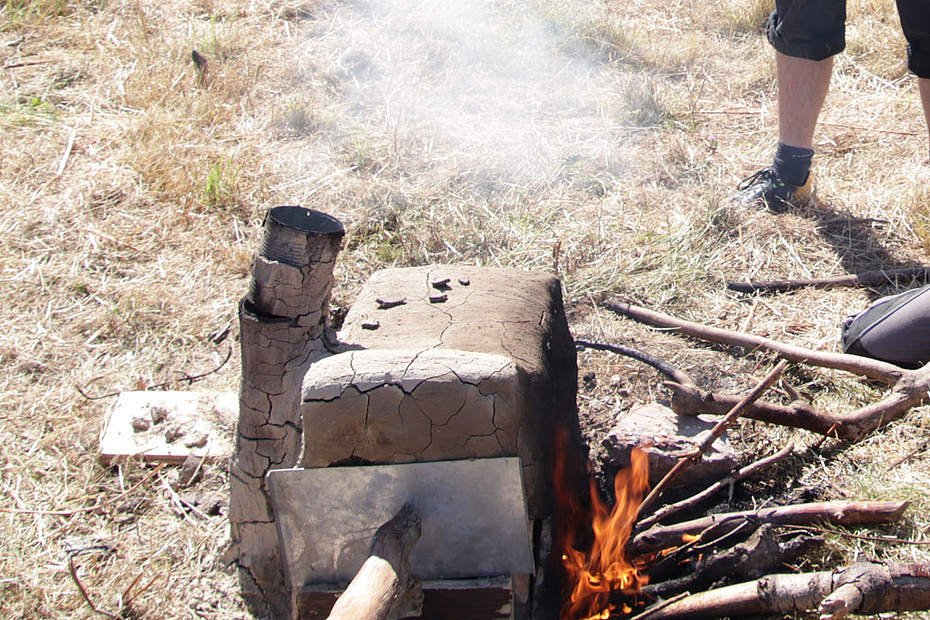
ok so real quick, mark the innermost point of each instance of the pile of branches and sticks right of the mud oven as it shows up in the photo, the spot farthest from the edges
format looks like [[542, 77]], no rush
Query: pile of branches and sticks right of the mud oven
[[687, 561]]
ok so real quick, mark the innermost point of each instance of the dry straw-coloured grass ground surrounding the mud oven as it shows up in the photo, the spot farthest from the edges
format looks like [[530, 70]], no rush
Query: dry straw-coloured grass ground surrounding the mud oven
[[599, 139]]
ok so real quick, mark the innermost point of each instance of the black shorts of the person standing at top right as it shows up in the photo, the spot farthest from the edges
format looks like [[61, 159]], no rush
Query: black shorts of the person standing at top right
[[816, 29]]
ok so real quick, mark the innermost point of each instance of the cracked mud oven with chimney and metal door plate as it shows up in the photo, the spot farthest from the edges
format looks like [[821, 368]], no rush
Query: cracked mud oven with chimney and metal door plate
[[445, 386]]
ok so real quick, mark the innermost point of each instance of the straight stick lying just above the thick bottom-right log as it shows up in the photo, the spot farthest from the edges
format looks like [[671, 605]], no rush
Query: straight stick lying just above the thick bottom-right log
[[660, 537]]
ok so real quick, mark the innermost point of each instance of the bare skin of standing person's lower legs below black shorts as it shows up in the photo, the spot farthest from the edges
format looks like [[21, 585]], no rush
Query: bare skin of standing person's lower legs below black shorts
[[802, 89]]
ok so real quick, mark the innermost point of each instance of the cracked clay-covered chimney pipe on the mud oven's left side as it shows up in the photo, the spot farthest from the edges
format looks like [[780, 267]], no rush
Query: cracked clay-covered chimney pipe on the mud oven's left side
[[282, 321]]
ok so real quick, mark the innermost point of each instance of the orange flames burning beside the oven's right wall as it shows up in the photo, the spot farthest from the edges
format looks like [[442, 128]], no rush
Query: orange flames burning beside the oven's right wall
[[597, 569]]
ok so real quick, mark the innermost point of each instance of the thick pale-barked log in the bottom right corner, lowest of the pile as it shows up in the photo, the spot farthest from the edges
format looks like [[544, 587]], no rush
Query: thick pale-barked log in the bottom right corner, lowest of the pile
[[861, 588]]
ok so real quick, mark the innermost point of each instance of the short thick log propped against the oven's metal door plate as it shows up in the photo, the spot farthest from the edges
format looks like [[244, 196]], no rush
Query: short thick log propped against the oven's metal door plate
[[383, 583]]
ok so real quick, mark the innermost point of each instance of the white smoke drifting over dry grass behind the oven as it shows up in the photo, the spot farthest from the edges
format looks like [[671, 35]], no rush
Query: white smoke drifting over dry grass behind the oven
[[489, 84]]
